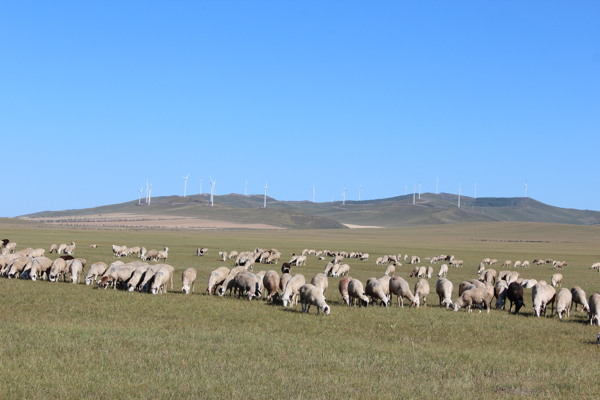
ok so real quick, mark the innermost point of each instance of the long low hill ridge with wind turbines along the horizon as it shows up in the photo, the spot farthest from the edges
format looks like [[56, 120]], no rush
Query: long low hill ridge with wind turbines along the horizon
[[388, 212]]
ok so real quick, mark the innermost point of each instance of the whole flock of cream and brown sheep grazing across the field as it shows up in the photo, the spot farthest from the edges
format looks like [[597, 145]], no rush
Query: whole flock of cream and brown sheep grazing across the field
[[290, 289]]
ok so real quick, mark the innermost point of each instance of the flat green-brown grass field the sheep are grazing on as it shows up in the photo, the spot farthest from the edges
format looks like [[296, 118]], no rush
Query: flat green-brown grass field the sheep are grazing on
[[74, 341]]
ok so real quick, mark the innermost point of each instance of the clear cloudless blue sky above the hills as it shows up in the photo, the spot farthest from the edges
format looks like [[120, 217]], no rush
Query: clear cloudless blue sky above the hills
[[96, 97]]
